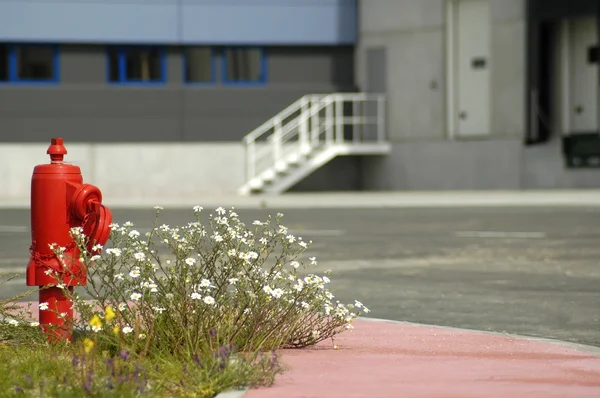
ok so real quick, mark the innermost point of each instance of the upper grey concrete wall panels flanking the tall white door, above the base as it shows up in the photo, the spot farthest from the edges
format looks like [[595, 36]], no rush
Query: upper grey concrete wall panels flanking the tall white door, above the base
[[413, 34]]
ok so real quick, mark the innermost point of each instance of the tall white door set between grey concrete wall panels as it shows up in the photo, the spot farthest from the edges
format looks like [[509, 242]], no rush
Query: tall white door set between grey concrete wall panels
[[471, 42]]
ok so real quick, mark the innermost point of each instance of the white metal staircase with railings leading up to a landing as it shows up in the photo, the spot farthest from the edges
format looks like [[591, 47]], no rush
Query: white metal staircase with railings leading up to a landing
[[308, 134]]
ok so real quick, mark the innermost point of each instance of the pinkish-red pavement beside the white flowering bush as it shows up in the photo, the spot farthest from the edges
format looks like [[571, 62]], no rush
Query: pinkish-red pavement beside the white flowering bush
[[384, 359]]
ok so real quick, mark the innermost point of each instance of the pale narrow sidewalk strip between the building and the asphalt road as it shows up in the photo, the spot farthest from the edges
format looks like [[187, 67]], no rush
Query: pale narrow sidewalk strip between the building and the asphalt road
[[361, 199]]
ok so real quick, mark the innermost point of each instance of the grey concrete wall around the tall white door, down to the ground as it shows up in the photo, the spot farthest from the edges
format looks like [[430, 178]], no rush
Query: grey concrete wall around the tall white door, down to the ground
[[413, 34]]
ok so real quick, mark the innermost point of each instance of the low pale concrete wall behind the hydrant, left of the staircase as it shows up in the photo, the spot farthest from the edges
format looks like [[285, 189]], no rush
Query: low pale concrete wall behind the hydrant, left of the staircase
[[133, 171]]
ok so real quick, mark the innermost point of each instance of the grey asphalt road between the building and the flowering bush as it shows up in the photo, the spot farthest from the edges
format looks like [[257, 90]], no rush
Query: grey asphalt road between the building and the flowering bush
[[531, 271]]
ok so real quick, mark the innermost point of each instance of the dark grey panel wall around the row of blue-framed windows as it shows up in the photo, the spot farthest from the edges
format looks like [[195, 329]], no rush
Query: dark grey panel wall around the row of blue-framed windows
[[84, 108]]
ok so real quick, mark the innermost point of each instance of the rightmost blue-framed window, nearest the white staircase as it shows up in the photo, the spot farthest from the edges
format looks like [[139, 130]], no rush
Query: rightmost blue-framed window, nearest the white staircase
[[244, 66]]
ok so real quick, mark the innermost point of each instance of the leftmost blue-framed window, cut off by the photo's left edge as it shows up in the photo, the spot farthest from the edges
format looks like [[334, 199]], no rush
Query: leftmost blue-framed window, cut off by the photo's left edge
[[29, 64]]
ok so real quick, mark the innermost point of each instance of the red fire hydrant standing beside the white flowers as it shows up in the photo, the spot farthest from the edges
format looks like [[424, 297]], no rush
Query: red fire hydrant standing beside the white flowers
[[61, 201]]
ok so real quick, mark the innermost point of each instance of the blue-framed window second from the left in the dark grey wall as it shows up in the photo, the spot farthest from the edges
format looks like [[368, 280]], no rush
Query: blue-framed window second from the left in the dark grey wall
[[140, 65]]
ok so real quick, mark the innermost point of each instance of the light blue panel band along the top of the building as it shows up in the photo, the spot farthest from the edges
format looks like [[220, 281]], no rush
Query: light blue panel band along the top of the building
[[180, 21]]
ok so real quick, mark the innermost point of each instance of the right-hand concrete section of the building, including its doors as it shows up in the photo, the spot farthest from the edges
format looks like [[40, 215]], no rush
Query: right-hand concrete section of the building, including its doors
[[483, 94]]
